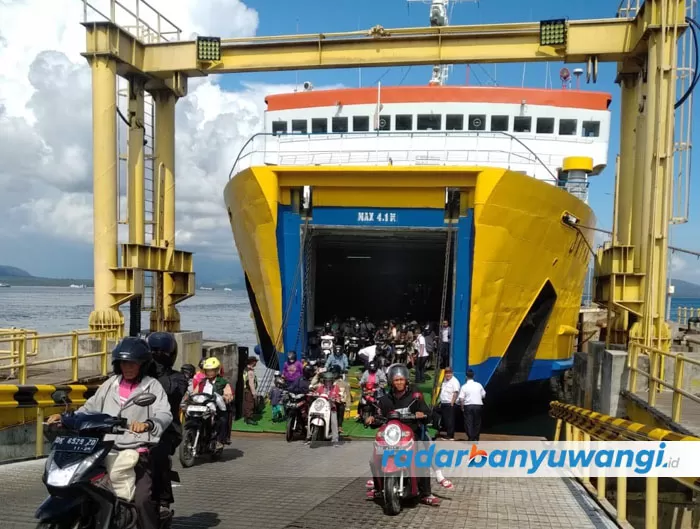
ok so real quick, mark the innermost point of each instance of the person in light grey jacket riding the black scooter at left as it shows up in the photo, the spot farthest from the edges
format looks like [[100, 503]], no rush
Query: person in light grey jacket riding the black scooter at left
[[131, 360]]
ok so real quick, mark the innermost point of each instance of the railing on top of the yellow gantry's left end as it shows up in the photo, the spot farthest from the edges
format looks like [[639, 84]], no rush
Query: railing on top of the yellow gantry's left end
[[142, 20]]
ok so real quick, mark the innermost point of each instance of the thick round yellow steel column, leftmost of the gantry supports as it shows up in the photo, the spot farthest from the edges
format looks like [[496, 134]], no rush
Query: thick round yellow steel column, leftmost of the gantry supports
[[105, 195]]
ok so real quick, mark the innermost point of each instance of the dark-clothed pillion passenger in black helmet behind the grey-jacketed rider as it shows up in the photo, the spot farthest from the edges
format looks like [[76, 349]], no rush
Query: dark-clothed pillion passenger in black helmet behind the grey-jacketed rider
[[174, 384]]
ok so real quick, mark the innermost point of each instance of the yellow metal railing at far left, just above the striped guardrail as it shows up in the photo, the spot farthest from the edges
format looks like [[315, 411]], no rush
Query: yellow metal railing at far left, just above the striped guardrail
[[22, 350]]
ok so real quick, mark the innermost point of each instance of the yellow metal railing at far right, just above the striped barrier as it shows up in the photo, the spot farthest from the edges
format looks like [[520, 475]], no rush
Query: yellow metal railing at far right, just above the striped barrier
[[656, 372]]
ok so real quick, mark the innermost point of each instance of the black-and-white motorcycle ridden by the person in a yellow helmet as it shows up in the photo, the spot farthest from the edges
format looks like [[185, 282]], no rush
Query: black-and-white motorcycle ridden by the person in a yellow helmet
[[199, 429]]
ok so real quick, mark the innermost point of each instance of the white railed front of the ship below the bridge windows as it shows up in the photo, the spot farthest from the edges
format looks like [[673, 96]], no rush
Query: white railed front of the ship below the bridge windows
[[391, 147]]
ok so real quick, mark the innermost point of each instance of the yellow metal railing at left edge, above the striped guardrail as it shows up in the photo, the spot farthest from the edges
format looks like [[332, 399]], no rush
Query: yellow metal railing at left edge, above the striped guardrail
[[25, 350]]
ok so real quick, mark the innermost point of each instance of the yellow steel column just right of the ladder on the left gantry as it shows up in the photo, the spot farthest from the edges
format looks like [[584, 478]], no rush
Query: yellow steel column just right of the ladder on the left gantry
[[165, 154]]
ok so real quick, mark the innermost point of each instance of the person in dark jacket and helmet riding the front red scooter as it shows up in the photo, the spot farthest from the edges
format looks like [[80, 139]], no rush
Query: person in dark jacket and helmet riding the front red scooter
[[400, 397]]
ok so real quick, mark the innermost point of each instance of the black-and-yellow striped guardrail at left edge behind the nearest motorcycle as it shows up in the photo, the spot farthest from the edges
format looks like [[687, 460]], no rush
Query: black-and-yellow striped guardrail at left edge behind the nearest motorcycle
[[23, 404]]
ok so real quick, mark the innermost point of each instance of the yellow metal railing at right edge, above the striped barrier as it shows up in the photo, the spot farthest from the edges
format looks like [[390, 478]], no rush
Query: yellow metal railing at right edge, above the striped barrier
[[659, 364]]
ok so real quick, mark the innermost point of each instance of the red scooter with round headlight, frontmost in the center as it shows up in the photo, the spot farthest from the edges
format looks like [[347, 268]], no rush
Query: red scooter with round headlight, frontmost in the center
[[396, 483]]
